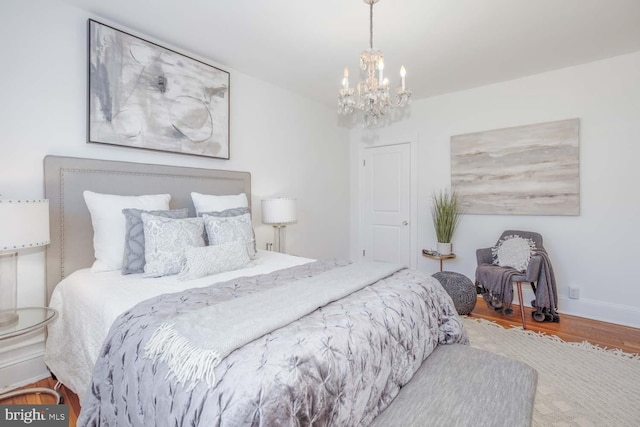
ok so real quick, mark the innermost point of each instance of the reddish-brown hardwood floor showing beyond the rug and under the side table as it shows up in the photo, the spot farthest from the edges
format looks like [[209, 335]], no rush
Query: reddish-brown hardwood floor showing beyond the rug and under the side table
[[570, 328]]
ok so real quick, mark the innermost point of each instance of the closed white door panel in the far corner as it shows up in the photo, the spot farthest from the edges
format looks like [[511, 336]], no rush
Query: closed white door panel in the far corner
[[387, 204]]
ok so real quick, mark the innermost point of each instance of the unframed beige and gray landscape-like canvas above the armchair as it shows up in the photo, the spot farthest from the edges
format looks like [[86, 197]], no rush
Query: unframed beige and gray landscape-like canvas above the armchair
[[524, 170]]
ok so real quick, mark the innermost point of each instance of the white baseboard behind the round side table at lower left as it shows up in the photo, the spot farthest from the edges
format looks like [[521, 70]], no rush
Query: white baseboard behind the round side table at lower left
[[22, 365]]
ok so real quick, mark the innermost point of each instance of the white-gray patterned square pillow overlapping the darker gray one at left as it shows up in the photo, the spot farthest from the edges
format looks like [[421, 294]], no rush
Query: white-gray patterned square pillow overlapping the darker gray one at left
[[165, 242]]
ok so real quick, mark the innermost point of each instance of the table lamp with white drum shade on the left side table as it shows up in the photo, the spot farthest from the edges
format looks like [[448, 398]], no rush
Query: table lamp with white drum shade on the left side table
[[23, 224]]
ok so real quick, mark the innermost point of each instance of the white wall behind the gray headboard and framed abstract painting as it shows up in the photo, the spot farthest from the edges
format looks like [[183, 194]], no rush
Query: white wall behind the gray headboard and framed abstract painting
[[290, 145]]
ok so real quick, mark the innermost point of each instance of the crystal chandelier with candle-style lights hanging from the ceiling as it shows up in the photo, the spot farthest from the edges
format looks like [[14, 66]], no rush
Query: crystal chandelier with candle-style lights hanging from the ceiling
[[371, 96]]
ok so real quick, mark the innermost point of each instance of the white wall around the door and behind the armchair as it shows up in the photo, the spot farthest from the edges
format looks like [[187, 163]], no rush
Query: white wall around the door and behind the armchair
[[597, 251]]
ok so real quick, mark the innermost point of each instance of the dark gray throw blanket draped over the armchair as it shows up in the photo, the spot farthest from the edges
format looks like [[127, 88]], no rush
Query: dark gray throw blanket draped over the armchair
[[497, 284]]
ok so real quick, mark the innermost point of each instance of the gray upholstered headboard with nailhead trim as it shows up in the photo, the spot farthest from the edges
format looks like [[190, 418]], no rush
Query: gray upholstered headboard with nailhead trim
[[66, 178]]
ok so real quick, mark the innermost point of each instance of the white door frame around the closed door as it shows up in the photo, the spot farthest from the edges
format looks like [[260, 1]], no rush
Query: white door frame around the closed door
[[357, 199]]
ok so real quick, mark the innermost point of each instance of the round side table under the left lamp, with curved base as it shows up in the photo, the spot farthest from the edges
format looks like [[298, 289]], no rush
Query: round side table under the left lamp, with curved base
[[29, 319]]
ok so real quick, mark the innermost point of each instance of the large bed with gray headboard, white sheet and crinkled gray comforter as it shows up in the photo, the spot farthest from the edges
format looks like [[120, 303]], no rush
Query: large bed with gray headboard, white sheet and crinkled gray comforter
[[339, 362]]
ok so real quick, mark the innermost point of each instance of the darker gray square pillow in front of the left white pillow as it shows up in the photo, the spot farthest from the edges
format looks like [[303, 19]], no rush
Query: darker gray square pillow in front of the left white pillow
[[133, 261]]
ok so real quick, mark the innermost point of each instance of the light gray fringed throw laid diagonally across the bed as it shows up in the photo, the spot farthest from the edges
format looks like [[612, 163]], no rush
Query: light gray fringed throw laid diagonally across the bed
[[194, 343]]
